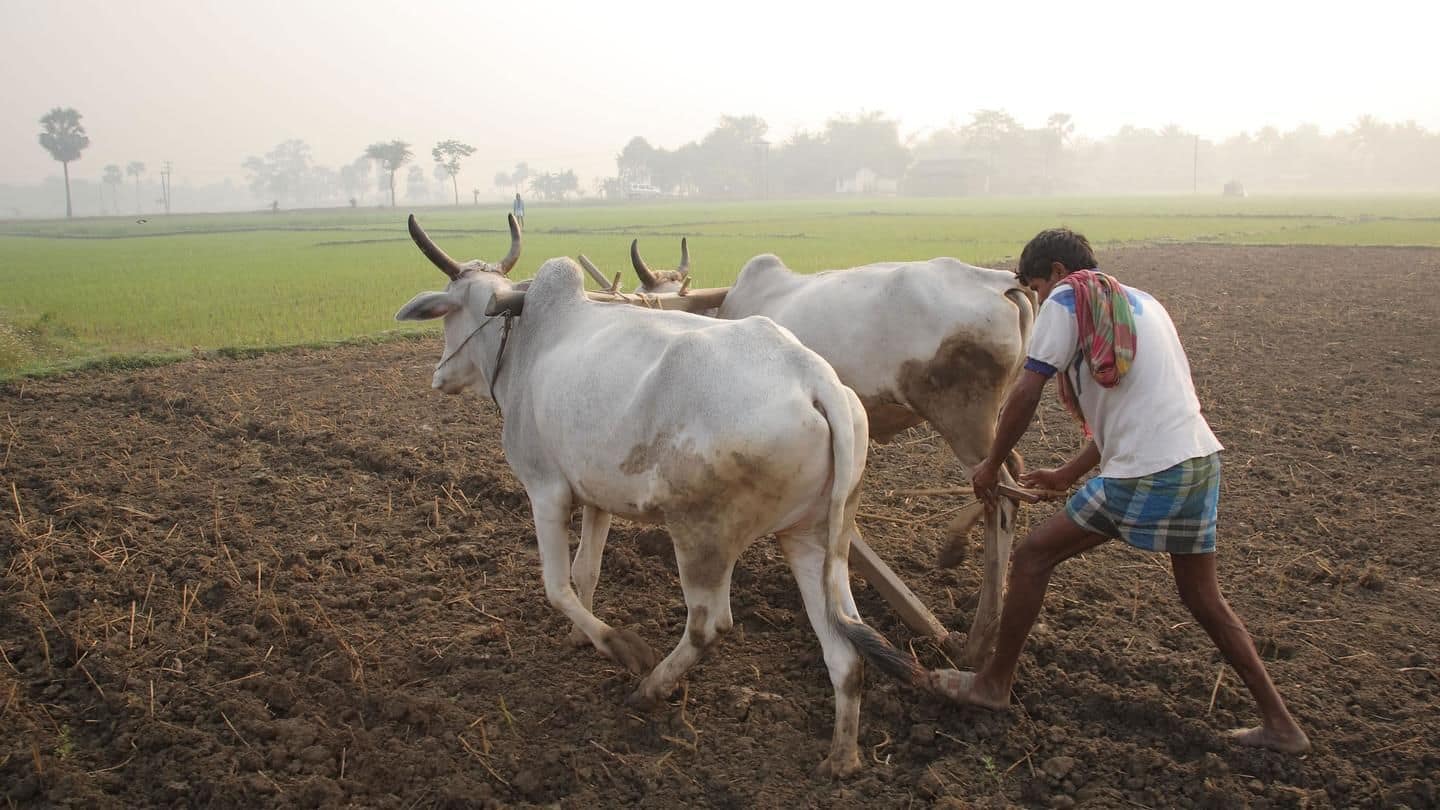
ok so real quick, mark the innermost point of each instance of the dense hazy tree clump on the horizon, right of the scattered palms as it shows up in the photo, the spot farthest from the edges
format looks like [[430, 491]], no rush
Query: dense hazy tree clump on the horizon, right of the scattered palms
[[997, 155]]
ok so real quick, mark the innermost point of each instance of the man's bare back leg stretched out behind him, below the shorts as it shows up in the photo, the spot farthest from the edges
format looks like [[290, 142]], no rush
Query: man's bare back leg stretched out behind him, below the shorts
[[1200, 590]]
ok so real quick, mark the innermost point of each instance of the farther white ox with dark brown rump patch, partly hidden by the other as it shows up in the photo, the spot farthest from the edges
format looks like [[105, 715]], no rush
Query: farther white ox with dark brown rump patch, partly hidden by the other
[[932, 341]]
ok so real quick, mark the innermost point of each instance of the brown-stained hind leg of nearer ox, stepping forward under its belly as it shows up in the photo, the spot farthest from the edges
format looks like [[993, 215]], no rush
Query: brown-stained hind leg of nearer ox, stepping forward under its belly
[[705, 576]]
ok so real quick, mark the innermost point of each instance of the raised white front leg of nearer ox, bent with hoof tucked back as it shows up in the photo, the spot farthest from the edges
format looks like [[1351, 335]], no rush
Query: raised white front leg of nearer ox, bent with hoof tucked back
[[552, 533]]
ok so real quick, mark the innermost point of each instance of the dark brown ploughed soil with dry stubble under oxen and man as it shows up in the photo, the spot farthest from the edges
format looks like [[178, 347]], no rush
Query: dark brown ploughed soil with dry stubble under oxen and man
[[307, 580]]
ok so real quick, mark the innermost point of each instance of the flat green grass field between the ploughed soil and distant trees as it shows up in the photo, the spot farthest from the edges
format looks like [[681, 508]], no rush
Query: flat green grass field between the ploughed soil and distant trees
[[125, 292]]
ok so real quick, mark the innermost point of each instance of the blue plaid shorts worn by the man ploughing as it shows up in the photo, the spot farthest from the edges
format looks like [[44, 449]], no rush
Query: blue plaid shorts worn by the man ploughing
[[1173, 511]]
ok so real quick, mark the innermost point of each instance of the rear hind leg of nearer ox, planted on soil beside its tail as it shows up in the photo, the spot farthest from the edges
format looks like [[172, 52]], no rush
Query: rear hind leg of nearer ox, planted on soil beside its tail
[[806, 553]]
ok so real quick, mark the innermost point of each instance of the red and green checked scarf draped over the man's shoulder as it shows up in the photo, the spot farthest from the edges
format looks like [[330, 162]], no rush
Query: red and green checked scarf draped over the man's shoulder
[[1107, 328]]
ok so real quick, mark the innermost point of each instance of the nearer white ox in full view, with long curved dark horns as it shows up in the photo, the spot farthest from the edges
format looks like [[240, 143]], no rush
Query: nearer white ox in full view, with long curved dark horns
[[732, 432]]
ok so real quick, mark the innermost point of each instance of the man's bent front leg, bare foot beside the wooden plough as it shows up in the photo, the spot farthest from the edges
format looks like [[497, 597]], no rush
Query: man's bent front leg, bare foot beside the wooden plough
[[1053, 543]]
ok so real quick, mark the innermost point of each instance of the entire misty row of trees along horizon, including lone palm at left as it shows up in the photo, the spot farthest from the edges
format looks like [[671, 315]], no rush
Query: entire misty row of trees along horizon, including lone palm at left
[[991, 155]]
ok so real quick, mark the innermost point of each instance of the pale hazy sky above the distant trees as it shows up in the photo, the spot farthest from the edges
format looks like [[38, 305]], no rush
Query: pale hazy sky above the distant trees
[[565, 86]]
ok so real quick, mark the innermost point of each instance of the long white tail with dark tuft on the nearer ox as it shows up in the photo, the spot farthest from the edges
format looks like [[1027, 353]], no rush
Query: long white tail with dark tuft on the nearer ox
[[849, 446]]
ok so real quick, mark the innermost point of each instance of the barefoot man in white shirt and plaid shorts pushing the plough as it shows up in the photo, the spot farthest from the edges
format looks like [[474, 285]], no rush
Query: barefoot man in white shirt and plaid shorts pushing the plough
[[1124, 374]]
